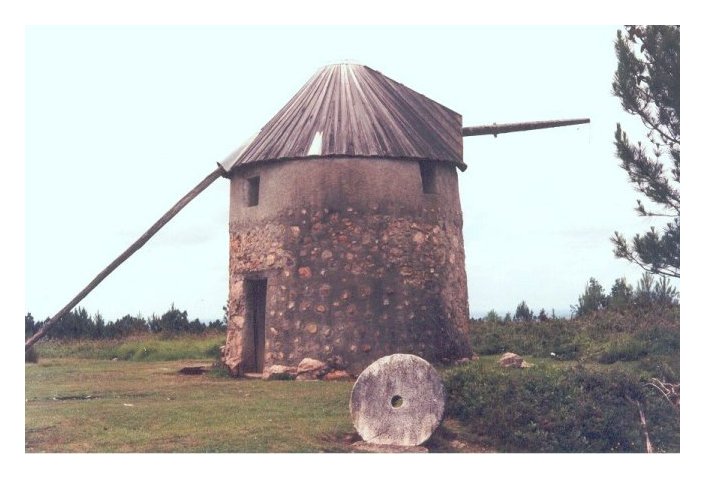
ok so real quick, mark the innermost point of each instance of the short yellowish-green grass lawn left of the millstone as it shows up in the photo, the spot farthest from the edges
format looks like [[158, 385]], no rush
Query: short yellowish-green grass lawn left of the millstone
[[149, 407]]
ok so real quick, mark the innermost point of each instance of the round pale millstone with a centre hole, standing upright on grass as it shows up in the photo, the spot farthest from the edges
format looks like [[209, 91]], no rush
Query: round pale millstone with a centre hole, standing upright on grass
[[398, 400]]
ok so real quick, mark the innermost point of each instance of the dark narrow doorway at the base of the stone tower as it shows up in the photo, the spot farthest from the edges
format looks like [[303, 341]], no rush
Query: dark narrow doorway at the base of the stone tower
[[256, 291]]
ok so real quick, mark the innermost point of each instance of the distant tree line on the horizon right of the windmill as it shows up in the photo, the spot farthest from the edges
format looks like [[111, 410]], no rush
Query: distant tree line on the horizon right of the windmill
[[649, 292]]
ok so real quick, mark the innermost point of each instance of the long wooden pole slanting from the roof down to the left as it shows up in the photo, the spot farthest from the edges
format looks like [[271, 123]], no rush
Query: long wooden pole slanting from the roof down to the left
[[126, 254]]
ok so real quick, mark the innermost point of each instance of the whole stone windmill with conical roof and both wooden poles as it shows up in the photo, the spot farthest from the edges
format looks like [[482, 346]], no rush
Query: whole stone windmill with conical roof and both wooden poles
[[345, 228]]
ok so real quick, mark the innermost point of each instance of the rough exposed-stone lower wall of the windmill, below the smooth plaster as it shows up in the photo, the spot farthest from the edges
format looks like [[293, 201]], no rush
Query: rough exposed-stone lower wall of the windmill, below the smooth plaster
[[352, 284]]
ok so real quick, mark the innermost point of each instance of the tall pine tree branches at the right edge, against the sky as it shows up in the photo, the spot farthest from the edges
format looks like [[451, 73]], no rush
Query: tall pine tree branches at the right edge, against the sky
[[647, 82]]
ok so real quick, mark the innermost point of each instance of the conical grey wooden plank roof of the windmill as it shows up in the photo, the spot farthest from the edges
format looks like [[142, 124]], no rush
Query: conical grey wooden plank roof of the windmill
[[350, 110]]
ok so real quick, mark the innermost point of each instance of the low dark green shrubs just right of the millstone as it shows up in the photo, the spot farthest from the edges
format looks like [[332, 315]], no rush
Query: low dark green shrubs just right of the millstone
[[547, 409]]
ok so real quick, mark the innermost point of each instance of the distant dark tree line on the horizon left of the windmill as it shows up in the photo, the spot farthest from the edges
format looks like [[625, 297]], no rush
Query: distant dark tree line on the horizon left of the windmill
[[78, 324]]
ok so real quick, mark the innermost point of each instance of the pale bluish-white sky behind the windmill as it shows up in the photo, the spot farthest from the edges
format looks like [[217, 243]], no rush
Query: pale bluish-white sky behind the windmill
[[122, 121]]
